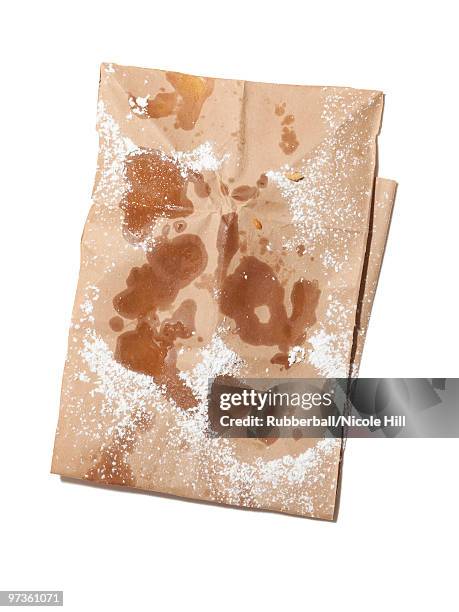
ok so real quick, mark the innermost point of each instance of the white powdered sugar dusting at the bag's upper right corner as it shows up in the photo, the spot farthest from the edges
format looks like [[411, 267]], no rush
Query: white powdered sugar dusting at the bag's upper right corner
[[333, 184]]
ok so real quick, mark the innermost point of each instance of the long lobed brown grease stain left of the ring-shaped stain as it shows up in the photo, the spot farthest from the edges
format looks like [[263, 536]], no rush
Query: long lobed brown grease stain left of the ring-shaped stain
[[173, 265]]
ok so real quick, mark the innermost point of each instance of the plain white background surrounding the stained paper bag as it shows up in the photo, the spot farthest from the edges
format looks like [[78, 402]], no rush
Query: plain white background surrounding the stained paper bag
[[396, 540]]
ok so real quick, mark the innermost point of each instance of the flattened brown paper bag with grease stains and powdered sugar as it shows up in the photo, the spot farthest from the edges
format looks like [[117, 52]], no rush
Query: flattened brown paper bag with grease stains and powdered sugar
[[237, 229]]
